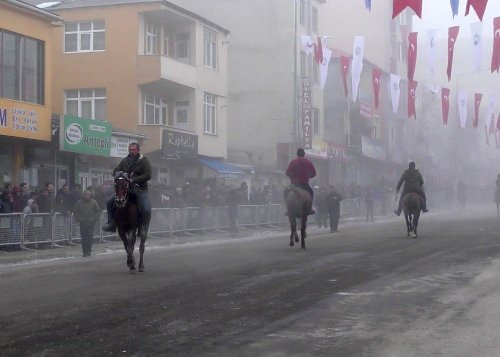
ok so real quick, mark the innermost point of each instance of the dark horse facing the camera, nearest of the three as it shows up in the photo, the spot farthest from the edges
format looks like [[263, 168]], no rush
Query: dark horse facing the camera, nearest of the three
[[127, 220]]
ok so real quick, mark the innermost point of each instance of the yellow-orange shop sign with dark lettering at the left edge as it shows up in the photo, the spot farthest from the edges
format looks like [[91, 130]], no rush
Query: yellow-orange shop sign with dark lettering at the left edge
[[23, 122]]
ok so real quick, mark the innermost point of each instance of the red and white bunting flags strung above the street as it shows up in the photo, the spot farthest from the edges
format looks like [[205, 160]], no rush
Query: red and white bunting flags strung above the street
[[322, 56]]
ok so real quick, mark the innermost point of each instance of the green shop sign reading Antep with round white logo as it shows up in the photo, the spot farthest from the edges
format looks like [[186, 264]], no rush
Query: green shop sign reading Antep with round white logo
[[85, 136]]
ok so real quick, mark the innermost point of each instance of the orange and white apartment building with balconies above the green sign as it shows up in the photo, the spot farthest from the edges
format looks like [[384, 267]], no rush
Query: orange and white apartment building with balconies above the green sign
[[144, 71]]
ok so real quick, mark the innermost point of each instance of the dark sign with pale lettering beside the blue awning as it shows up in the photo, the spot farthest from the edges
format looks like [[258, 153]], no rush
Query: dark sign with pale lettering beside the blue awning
[[179, 145]]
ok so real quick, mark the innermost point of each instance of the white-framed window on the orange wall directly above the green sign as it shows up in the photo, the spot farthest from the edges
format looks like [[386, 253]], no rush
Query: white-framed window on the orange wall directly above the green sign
[[86, 103]]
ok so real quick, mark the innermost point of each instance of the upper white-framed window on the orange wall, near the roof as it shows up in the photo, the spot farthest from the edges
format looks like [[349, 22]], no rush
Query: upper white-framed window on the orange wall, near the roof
[[86, 36]]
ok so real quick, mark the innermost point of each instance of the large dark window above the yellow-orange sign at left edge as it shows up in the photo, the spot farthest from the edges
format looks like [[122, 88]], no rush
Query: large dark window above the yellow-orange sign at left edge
[[22, 67]]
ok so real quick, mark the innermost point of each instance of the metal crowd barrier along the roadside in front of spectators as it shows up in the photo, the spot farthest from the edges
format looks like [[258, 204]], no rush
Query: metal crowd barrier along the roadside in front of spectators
[[30, 230]]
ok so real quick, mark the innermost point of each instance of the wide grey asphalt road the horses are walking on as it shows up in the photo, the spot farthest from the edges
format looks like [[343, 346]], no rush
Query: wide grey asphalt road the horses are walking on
[[366, 291]]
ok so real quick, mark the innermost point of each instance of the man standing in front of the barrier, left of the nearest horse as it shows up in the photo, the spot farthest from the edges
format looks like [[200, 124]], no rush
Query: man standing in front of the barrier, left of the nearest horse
[[87, 212]]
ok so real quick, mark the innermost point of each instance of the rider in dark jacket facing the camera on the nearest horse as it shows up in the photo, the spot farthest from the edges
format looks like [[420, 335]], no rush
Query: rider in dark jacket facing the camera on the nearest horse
[[138, 168]]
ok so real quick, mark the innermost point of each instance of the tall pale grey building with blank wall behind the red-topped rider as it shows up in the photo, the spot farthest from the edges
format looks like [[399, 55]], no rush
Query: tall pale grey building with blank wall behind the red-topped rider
[[267, 67]]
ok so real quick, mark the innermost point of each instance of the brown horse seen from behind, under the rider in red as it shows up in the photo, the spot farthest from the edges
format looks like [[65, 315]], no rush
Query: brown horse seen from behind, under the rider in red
[[297, 202]]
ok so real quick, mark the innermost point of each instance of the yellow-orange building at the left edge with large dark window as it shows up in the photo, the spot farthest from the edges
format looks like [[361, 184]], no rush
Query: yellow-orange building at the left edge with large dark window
[[25, 88]]
